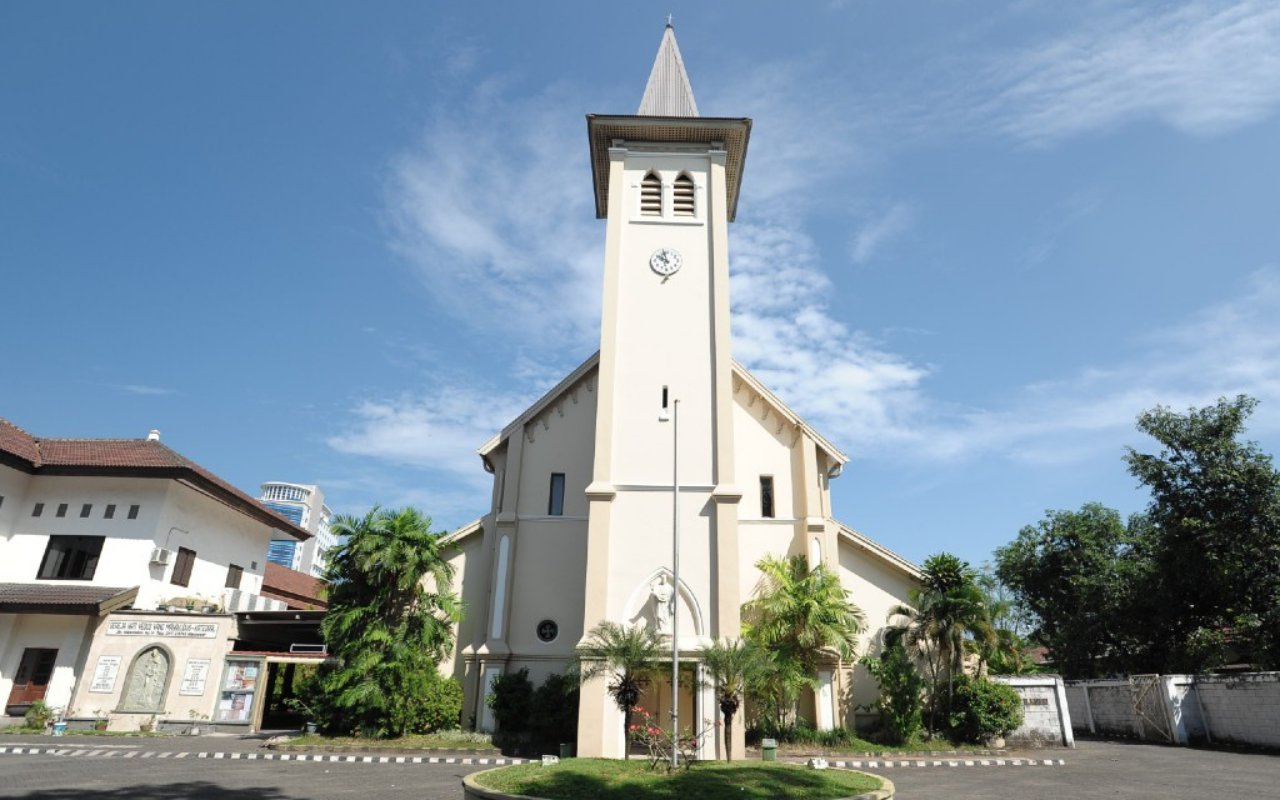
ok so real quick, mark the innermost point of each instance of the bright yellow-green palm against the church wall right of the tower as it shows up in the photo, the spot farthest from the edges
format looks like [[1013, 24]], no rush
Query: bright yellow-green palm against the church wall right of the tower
[[796, 615]]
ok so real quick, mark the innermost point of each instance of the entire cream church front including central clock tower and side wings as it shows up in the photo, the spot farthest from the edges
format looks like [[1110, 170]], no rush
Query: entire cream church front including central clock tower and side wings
[[659, 438]]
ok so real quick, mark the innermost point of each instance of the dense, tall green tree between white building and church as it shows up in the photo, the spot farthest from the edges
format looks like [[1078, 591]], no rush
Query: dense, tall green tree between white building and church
[[391, 621]]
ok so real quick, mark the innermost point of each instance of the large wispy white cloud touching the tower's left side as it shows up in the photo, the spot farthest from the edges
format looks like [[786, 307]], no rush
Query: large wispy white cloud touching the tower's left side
[[493, 211]]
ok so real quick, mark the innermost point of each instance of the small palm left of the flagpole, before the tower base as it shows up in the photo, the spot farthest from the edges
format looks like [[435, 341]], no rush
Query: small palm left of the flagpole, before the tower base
[[632, 655]]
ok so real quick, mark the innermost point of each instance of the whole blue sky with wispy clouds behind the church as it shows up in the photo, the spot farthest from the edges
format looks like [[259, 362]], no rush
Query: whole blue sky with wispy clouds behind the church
[[344, 244]]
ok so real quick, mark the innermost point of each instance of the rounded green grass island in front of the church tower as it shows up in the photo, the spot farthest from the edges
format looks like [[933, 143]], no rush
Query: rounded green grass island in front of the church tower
[[589, 779]]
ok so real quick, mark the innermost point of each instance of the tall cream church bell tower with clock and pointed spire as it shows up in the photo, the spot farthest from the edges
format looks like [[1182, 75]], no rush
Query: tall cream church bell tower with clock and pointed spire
[[668, 184]]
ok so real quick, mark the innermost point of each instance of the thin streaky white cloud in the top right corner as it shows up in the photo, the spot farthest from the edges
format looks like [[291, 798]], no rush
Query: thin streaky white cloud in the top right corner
[[1201, 68]]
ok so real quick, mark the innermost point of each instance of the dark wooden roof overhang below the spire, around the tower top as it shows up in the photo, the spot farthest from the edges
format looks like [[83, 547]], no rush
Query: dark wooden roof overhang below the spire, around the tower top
[[733, 134]]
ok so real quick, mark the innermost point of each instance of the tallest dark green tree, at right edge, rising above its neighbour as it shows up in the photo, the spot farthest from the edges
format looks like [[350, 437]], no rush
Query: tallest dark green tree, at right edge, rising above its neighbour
[[1215, 513]]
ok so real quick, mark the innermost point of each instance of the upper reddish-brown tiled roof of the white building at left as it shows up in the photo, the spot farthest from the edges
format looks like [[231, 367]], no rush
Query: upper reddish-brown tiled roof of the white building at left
[[130, 459]]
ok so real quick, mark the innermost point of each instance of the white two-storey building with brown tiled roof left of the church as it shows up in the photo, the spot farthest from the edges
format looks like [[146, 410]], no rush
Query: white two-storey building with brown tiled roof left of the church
[[92, 528]]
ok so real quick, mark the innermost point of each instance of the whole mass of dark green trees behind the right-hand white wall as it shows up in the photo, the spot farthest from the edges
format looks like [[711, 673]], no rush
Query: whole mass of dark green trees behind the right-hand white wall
[[1187, 587]]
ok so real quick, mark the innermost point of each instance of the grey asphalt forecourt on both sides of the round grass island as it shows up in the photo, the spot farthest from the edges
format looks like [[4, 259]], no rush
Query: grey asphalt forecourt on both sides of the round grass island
[[1094, 770]]
